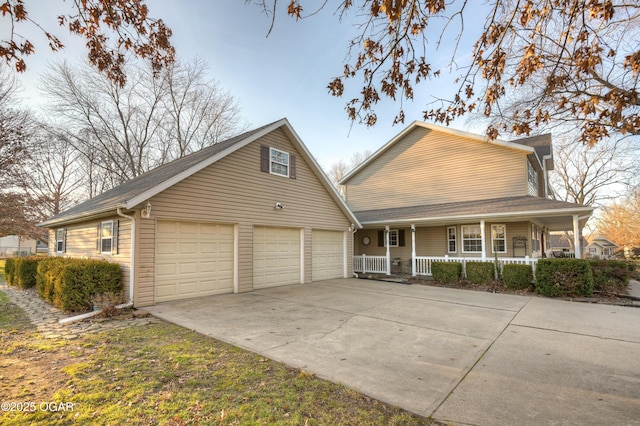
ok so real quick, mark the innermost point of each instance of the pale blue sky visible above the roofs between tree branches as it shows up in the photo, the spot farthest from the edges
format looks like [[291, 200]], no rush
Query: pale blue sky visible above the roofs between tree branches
[[282, 75]]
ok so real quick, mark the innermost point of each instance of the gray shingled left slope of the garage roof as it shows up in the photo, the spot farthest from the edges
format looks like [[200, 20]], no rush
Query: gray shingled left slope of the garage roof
[[118, 196]]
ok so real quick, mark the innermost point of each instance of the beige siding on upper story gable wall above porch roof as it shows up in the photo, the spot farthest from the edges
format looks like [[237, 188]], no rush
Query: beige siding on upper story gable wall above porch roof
[[430, 167]]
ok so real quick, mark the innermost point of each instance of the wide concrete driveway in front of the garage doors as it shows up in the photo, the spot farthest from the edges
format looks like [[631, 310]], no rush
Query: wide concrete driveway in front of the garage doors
[[459, 356]]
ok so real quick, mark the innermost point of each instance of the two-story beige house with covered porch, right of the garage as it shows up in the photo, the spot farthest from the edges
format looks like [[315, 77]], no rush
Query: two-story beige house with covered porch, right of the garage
[[433, 193]]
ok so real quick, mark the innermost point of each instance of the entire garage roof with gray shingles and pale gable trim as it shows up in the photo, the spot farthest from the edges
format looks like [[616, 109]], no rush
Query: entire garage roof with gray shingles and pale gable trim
[[135, 191]]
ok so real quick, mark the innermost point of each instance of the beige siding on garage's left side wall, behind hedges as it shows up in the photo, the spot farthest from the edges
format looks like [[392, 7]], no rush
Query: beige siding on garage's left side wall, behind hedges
[[81, 242]]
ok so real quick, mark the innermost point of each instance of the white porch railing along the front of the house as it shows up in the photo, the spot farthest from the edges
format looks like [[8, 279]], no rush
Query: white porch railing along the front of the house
[[378, 264]]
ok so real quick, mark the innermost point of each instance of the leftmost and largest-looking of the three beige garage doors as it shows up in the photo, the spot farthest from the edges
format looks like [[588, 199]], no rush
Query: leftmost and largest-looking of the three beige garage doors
[[193, 259]]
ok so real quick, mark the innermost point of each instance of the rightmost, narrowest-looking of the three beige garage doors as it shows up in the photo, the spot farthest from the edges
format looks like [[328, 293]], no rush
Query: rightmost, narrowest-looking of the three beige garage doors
[[328, 255]]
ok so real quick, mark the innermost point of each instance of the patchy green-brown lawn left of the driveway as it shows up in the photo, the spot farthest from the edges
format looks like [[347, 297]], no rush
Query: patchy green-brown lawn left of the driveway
[[164, 374]]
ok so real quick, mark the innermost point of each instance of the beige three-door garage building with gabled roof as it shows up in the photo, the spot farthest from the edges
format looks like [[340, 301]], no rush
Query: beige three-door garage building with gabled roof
[[250, 212]]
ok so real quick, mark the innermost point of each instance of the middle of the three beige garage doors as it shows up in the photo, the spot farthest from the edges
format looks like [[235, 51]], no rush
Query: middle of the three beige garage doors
[[276, 256]]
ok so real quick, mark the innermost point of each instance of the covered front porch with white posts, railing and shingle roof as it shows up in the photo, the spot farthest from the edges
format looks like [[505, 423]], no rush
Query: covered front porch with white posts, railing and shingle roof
[[507, 231]]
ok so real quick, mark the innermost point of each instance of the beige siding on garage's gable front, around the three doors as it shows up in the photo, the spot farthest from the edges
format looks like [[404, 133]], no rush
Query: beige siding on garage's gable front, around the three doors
[[234, 190]]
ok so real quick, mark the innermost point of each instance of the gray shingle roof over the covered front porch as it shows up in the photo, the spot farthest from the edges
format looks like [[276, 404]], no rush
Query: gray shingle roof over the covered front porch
[[510, 205]]
